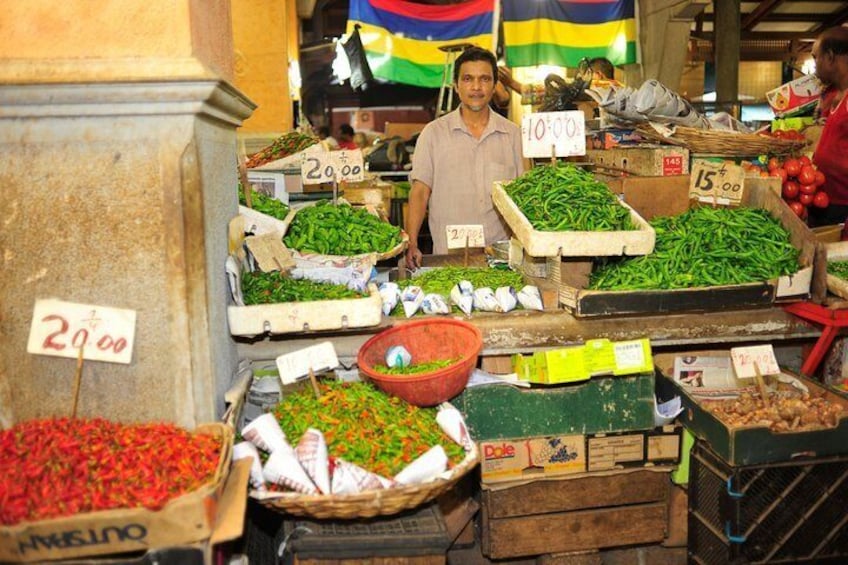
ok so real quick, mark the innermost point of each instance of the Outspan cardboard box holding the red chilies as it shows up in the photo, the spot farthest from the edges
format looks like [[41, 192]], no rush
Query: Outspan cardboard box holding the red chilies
[[187, 519]]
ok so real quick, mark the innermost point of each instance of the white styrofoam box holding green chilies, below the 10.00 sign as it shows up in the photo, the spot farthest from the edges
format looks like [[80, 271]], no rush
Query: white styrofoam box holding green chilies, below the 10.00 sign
[[574, 243]]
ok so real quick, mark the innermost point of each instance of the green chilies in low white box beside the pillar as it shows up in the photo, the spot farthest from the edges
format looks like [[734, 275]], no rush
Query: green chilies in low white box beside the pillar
[[272, 288]]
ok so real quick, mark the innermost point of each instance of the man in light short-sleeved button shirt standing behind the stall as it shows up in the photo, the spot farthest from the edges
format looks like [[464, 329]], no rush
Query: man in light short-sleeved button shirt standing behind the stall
[[459, 156]]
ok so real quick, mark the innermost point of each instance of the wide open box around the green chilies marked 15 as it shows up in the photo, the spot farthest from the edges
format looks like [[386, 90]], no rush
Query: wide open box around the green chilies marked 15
[[653, 197]]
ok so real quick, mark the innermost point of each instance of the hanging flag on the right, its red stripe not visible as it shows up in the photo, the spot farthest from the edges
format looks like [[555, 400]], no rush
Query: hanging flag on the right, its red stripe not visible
[[561, 32]]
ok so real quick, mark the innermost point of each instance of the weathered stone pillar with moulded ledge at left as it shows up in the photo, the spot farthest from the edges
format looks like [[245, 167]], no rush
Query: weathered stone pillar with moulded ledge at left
[[117, 130]]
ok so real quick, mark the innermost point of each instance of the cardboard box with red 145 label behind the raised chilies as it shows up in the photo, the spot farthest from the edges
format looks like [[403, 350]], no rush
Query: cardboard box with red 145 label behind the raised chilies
[[646, 161]]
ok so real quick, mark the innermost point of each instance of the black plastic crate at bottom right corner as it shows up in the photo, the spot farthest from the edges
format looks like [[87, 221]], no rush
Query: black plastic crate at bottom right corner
[[788, 512]]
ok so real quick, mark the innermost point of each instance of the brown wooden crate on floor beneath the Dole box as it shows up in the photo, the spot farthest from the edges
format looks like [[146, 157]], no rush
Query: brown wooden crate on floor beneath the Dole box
[[575, 514]]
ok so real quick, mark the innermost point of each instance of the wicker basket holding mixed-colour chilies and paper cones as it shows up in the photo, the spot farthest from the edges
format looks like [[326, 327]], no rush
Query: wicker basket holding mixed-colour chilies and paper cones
[[366, 504]]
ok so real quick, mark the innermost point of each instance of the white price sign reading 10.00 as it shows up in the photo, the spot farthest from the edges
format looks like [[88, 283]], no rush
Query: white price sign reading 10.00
[[545, 134]]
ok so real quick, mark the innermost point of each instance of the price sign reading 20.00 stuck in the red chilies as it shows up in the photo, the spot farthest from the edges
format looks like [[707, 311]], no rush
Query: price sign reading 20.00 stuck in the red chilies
[[61, 328]]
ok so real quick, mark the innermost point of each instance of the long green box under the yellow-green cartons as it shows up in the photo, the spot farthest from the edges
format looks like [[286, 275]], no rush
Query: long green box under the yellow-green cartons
[[601, 404]]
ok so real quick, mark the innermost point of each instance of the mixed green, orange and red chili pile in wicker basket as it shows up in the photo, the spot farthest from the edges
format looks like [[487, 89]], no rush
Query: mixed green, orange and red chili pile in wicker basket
[[364, 426]]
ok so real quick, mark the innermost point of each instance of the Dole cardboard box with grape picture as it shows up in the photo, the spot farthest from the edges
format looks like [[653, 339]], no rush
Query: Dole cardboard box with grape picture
[[510, 460]]
